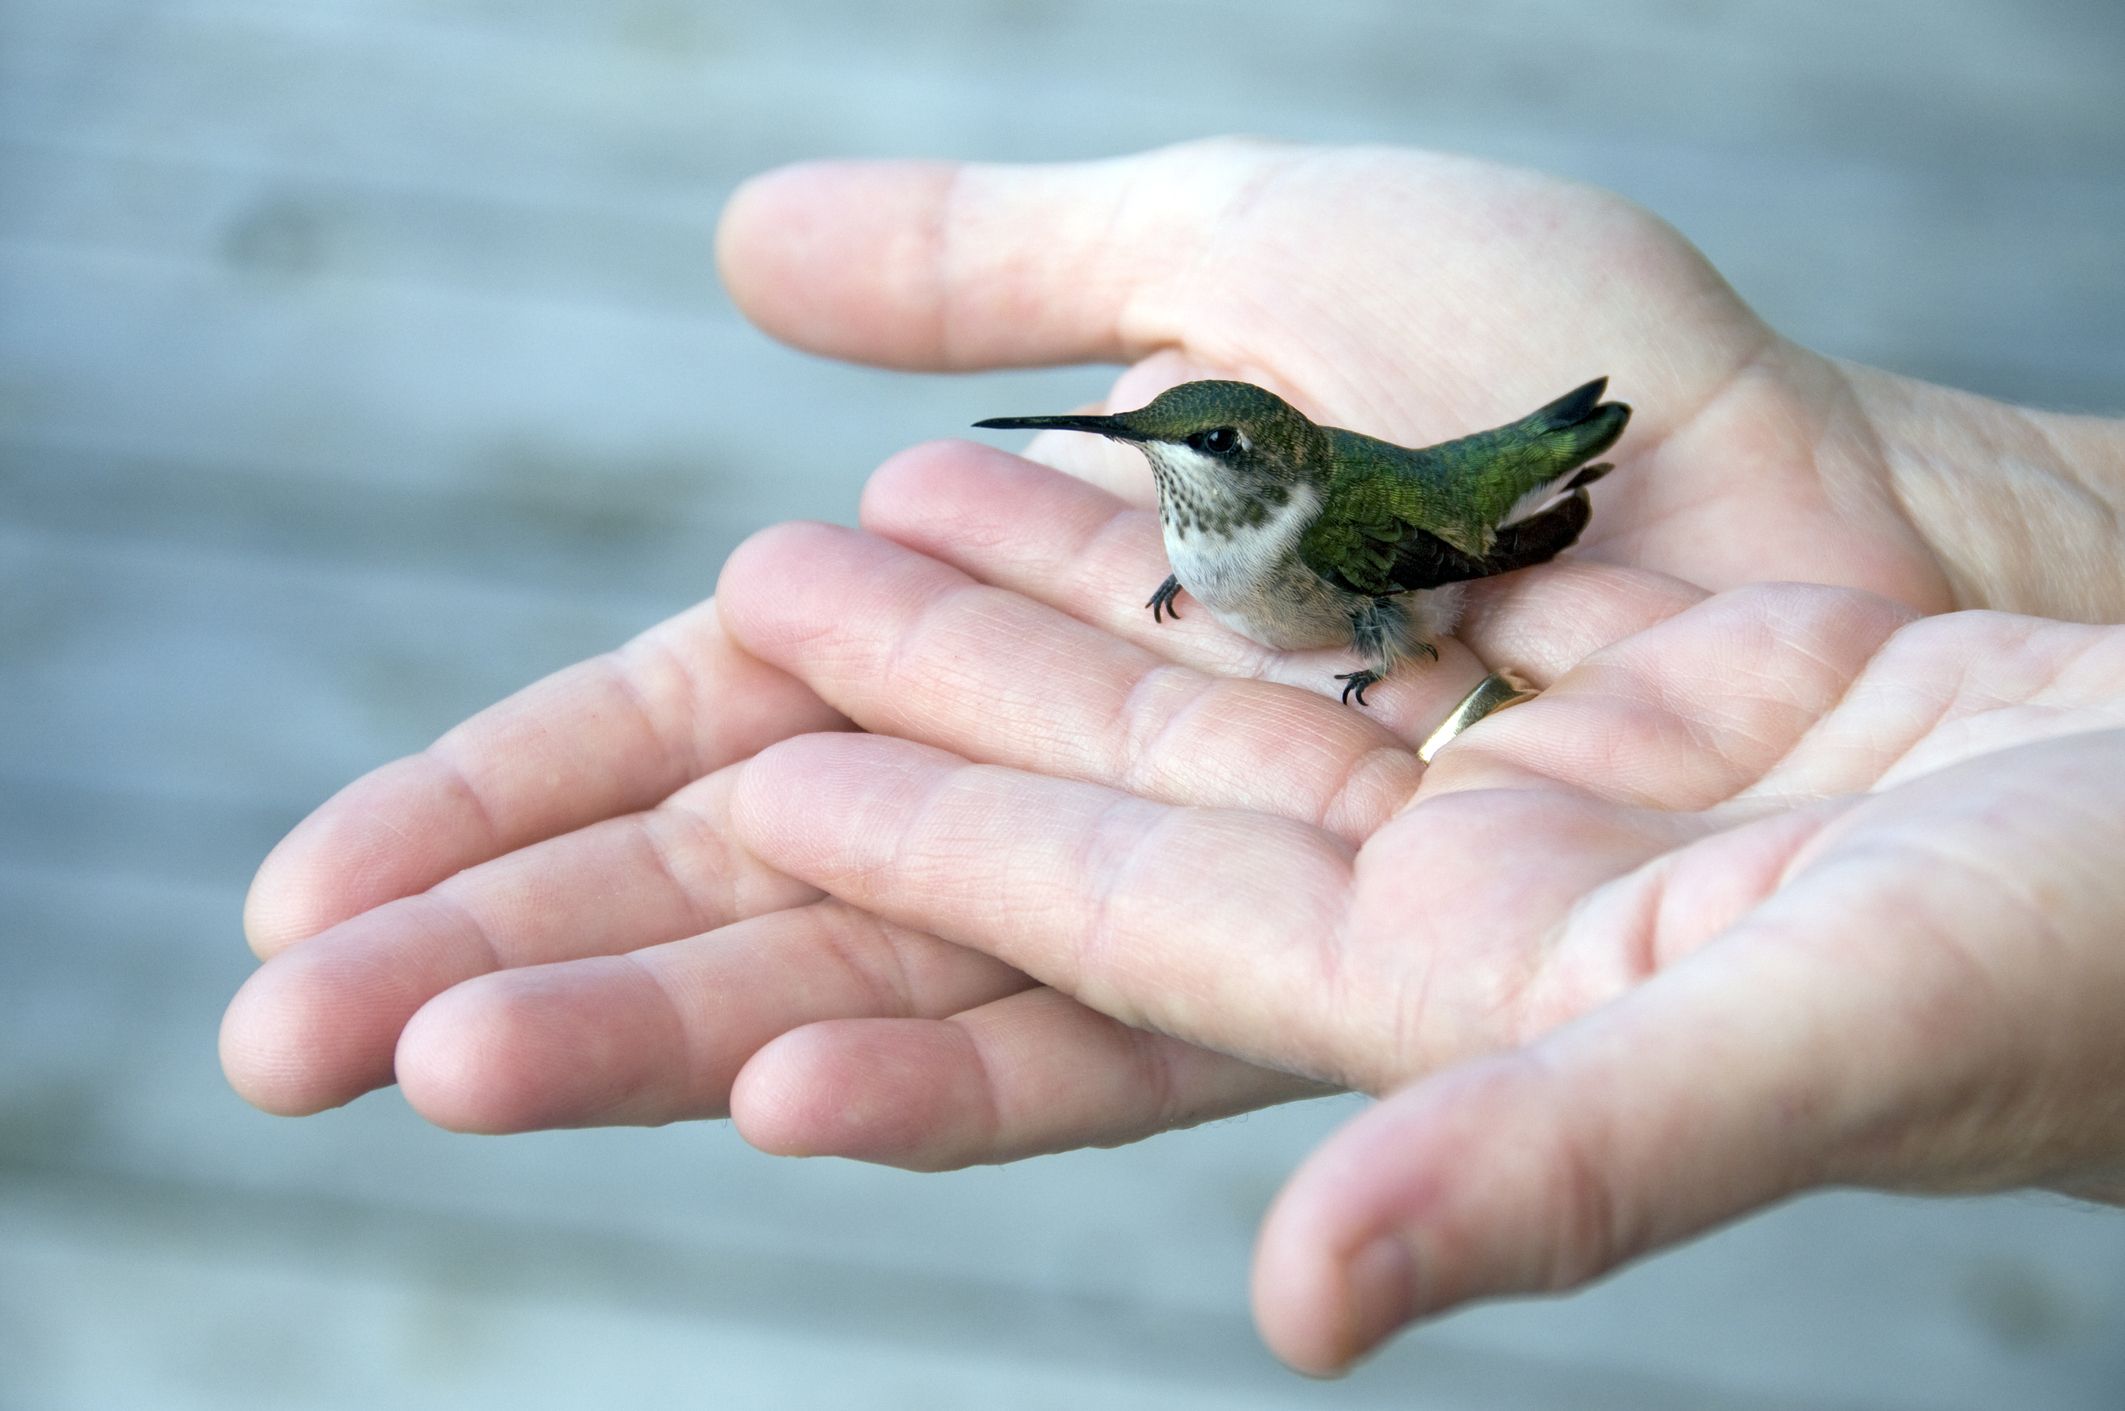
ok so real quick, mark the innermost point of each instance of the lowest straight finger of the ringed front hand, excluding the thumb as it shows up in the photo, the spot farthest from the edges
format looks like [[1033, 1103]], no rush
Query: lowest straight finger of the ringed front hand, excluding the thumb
[[1093, 891]]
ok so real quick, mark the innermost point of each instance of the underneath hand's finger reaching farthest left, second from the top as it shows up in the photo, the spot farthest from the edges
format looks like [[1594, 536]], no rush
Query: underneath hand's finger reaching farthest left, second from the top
[[318, 1023]]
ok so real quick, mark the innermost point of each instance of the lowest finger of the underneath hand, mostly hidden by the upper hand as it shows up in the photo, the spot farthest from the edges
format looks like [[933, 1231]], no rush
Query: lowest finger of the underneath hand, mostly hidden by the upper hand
[[1019, 1076]]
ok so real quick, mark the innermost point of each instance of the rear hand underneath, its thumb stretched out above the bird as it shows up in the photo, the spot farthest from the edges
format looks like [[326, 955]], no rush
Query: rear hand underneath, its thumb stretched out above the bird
[[545, 921]]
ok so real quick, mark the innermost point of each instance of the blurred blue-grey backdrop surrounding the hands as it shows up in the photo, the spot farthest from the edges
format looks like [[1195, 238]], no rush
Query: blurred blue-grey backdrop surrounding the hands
[[364, 362]]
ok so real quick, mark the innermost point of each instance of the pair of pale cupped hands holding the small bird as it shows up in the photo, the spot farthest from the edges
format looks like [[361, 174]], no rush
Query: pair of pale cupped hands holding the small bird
[[1771, 889]]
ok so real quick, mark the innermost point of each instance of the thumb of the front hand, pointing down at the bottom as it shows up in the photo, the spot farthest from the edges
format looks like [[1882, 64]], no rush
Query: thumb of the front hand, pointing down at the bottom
[[1701, 1095]]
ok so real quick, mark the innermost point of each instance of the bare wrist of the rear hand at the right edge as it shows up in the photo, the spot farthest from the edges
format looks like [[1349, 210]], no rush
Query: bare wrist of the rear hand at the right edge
[[2020, 509]]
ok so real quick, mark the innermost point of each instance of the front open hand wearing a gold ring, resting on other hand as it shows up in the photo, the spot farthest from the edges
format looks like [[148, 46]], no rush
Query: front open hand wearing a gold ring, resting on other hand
[[1784, 887]]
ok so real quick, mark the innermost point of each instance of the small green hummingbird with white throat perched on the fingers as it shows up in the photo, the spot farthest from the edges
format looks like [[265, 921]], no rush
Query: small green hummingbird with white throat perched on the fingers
[[1302, 537]]
